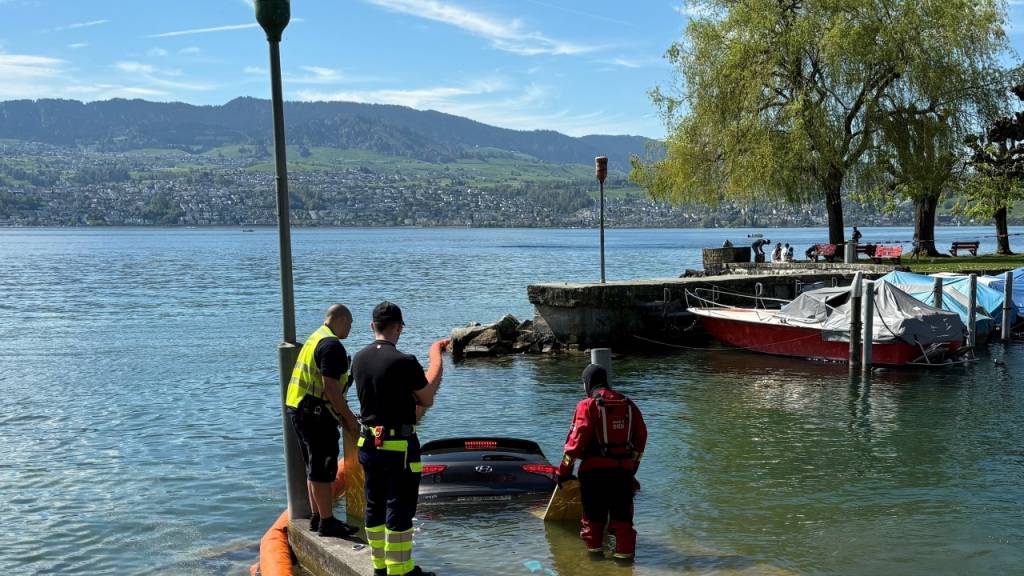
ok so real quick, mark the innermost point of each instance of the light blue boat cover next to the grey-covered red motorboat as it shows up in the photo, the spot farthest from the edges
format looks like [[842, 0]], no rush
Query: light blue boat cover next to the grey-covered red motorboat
[[956, 292]]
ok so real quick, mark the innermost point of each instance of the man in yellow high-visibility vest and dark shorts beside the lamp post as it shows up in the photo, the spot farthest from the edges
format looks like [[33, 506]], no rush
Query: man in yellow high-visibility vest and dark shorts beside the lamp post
[[316, 406]]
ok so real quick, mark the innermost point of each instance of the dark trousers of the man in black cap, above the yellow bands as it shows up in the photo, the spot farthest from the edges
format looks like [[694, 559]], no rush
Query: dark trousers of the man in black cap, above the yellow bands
[[393, 489]]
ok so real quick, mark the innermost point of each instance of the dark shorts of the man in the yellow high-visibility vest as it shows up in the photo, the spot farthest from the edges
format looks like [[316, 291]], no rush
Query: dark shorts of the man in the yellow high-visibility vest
[[319, 436]]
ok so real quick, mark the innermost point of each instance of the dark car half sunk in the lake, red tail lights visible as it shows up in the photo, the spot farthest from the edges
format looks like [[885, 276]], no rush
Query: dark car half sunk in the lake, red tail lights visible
[[480, 470]]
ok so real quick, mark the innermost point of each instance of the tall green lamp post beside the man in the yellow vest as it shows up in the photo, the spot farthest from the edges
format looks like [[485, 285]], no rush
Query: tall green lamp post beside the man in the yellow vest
[[274, 16]]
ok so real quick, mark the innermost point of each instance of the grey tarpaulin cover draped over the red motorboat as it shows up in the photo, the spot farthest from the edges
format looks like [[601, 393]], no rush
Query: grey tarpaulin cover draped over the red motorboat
[[899, 316]]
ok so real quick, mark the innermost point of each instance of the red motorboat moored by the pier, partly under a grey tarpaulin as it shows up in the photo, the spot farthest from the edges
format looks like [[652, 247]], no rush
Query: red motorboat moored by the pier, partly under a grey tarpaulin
[[817, 325]]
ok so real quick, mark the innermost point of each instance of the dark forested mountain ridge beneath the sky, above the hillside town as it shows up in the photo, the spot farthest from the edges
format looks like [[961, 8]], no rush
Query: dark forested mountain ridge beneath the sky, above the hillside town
[[393, 131]]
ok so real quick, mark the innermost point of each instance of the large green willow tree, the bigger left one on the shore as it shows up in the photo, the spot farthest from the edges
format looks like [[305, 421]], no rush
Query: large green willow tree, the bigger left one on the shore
[[787, 99]]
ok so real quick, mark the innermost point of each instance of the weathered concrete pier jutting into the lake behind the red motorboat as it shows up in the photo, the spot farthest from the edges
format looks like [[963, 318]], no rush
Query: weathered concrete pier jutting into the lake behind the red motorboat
[[594, 315]]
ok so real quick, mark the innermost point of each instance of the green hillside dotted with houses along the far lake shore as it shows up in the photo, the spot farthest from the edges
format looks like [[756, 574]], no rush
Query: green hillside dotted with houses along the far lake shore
[[47, 186]]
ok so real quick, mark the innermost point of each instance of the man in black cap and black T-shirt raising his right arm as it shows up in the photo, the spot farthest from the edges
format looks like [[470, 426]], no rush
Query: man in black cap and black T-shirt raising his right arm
[[394, 392]]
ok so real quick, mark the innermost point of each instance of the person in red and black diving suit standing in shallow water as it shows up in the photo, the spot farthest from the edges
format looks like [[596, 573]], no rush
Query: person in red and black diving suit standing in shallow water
[[610, 436]]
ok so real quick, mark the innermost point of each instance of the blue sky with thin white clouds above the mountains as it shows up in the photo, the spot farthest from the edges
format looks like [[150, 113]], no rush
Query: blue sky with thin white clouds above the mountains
[[576, 67]]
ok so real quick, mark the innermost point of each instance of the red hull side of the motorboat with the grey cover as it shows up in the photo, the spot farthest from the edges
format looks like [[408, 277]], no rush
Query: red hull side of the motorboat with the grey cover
[[800, 343]]
